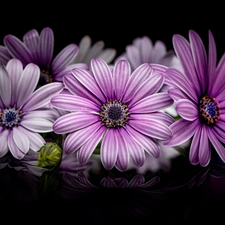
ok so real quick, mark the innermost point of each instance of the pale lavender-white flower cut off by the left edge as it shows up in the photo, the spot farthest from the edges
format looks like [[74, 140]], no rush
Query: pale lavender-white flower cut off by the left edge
[[24, 113]]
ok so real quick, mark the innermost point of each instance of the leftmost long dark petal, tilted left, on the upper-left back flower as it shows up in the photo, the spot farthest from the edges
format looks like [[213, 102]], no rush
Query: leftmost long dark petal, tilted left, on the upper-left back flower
[[18, 49]]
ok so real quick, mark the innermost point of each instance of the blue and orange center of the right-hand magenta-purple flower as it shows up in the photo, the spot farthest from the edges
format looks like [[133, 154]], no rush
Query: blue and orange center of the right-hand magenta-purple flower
[[209, 110]]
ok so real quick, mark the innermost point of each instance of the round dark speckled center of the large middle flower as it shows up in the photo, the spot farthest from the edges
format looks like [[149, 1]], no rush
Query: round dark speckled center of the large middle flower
[[114, 114]]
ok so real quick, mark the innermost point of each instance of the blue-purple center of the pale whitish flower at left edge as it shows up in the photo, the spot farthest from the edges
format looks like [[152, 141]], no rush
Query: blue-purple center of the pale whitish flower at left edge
[[10, 117]]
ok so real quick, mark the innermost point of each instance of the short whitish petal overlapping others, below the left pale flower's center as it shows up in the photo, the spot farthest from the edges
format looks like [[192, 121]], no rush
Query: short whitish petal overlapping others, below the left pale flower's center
[[21, 140]]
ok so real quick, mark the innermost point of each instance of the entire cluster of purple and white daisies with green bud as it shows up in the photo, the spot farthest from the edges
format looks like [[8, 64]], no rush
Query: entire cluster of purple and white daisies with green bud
[[138, 109]]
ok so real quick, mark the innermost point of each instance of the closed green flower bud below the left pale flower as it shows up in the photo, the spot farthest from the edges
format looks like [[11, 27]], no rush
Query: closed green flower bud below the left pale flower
[[49, 155]]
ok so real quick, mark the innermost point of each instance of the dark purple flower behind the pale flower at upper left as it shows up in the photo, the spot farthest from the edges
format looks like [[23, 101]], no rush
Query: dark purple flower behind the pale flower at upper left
[[38, 49]]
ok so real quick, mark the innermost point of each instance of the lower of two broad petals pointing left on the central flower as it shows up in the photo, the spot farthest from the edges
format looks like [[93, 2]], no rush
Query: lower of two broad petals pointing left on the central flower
[[74, 121]]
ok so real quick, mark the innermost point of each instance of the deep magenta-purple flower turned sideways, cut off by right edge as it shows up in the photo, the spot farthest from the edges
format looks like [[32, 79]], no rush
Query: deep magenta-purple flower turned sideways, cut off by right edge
[[199, 94]]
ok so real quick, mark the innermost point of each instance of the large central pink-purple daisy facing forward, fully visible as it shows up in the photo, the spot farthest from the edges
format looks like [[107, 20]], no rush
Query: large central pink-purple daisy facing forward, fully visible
[[115, 108]]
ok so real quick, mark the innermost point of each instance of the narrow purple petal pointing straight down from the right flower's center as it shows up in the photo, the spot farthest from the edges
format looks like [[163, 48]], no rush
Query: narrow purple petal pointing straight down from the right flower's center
[[204, 153]]
